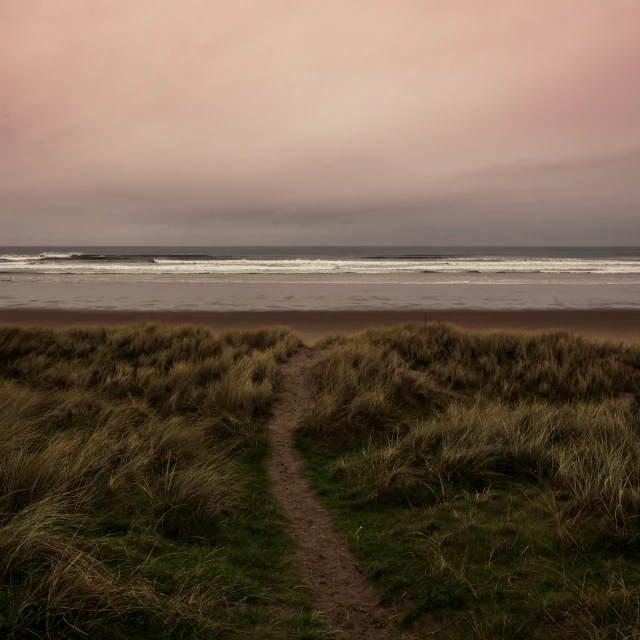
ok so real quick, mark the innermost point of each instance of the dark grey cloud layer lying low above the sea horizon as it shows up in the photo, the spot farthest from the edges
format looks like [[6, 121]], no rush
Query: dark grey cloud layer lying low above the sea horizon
[[512, 205]]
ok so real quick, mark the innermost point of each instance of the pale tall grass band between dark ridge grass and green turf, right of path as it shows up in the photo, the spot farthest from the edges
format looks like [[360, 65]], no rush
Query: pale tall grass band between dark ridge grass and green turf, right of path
[[591, 454]]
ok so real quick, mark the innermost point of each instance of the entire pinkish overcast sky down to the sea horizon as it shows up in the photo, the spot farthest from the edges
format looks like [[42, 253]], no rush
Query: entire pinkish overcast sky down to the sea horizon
[[315, 122]]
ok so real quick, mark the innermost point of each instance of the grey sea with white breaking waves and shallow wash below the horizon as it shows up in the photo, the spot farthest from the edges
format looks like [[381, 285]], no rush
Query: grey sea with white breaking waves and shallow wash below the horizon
[[314, 278]]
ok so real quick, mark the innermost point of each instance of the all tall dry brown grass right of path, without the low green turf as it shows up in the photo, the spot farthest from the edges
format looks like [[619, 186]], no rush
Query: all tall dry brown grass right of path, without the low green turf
[[442, 409]]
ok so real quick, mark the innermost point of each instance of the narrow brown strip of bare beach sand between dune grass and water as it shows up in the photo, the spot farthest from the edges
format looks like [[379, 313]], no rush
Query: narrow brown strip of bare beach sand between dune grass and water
[[614, 324]]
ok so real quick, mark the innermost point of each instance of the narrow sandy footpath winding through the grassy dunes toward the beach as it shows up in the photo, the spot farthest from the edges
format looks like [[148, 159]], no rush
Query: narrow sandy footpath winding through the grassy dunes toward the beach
[[345, 600]]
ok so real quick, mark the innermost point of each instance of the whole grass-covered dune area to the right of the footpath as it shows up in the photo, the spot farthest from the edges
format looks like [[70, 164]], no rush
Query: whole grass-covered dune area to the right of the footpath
[[489, 481]]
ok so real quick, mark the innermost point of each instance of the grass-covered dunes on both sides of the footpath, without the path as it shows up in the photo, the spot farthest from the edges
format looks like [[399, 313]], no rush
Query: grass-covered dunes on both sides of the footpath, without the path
[[487, 481]]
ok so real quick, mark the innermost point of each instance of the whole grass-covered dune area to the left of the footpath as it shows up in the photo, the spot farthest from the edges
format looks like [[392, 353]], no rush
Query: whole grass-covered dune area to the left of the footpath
[[133, 499]]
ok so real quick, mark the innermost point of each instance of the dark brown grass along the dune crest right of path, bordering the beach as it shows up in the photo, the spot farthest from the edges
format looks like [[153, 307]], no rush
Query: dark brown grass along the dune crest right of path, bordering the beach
[[555, 365]]
